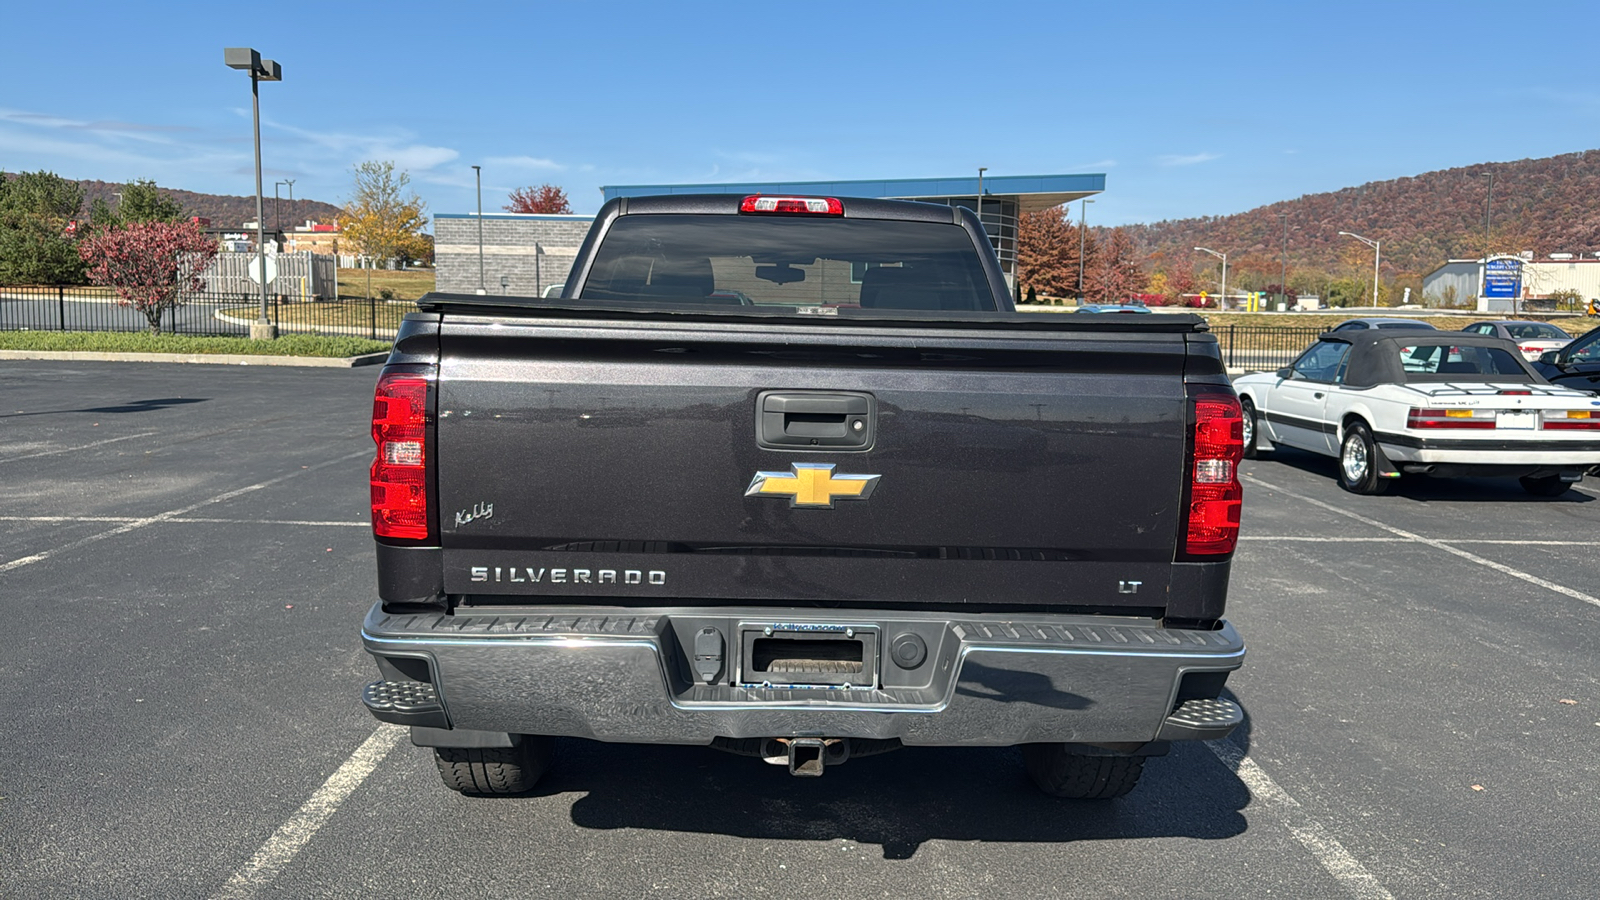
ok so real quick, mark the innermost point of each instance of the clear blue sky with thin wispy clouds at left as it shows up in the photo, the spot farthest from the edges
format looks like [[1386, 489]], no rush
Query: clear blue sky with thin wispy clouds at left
[[1188, 108]]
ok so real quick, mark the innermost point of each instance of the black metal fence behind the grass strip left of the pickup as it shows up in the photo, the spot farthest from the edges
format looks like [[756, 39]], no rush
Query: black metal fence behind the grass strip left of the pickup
[[201, 313]]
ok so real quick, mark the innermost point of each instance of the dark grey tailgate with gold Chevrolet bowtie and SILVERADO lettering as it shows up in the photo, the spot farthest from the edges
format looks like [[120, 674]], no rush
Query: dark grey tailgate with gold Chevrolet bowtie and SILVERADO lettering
[[590, 460]]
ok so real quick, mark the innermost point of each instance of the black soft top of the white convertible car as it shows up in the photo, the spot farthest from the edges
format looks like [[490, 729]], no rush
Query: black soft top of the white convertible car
[[1377, 358]]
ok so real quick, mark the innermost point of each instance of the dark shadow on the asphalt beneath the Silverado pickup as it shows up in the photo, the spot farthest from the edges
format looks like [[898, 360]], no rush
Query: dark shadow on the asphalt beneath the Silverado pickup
[[897, 802]]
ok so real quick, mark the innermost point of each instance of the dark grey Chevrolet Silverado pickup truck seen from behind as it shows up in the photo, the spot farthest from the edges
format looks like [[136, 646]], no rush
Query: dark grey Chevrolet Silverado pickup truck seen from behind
[[791, 478]]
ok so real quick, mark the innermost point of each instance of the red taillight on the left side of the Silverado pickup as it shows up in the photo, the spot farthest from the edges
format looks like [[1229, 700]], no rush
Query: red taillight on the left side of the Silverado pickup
[[399, 473]]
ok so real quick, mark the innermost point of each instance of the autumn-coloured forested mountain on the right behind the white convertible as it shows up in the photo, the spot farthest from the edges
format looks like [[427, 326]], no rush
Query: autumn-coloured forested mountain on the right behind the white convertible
[[1546, 206]]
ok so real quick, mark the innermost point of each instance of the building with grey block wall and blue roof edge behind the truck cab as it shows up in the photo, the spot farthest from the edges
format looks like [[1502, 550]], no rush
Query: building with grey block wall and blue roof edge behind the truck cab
[[527, 254]]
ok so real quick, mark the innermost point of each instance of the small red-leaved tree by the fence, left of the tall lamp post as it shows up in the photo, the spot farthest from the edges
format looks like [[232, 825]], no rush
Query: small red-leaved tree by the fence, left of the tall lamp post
[[150, 265]]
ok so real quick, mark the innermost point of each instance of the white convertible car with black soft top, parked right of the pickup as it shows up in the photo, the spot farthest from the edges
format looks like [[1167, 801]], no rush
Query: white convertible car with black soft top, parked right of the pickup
[[1415, 403]]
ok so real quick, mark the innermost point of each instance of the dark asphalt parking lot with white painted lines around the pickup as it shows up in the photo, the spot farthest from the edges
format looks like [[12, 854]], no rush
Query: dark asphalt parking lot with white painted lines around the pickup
[[185, 565]]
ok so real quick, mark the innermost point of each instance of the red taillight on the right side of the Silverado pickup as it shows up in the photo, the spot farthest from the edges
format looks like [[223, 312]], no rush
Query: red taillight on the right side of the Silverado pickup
[[1215, 494]]
